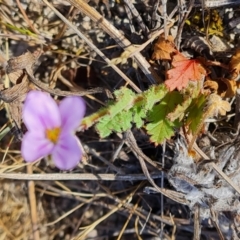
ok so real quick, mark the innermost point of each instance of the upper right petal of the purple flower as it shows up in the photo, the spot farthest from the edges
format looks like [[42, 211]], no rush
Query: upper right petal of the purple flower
[[72, 110]]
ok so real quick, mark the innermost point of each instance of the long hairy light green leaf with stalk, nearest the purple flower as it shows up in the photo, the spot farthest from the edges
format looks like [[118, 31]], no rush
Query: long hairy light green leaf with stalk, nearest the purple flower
[[128, 109]]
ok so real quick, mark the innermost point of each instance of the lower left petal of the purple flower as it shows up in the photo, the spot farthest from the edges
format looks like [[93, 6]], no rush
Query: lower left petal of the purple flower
[[35, 146]]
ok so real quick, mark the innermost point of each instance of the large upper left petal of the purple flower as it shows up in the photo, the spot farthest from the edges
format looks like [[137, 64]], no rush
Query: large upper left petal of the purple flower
[[40, 112]]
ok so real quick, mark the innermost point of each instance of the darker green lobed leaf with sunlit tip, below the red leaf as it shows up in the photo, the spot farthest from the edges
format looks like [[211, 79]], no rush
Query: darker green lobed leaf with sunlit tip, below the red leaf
[[159, 127]]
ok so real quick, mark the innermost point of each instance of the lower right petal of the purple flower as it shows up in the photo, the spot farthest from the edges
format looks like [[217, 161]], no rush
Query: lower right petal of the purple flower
[[67, 153]]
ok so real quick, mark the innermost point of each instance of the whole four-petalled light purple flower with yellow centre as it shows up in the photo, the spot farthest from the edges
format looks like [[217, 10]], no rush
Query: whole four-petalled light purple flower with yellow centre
[[51, 129]]
